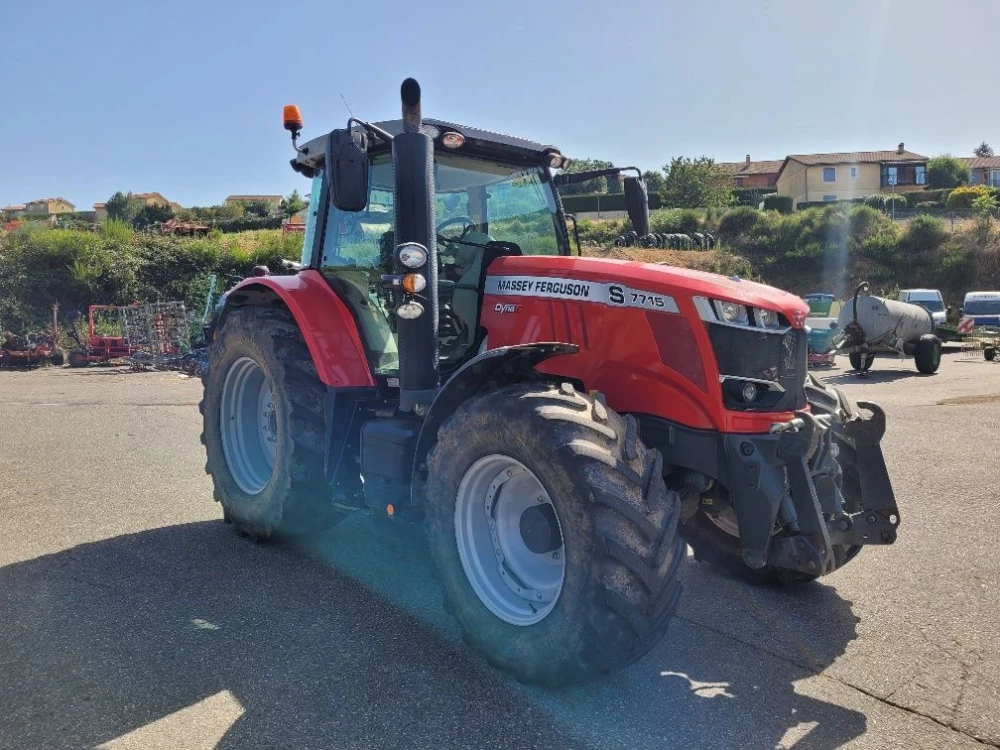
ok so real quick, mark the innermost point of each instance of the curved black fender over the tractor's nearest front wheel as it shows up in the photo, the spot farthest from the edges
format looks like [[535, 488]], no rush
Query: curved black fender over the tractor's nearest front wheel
[[488, 371]]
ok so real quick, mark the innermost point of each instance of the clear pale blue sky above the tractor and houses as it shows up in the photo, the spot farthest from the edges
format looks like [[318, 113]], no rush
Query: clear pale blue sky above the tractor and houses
[[185, 97]]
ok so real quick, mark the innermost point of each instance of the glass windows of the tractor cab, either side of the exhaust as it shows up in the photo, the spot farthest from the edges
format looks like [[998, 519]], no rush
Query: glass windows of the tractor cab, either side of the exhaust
[[476, 202]]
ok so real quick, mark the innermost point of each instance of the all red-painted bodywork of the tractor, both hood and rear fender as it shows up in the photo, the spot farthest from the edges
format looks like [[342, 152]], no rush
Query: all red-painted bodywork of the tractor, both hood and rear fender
[[644, 361]]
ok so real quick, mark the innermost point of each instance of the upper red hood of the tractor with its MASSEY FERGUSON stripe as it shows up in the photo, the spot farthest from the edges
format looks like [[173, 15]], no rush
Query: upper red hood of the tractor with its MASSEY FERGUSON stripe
[[513, 275]]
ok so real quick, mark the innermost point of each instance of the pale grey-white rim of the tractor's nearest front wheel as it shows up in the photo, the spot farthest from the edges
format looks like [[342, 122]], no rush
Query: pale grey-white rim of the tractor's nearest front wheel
[[501, 509]]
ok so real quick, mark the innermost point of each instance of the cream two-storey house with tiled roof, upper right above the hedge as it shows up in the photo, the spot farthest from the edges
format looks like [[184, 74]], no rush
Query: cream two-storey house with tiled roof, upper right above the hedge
[[809, 178]]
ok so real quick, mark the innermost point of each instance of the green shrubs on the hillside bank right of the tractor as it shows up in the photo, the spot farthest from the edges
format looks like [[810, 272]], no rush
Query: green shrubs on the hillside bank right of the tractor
[[829, 248]]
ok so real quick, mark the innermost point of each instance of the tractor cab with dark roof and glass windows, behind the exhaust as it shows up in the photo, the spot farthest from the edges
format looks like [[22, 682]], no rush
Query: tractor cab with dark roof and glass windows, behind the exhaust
[[494, 195]]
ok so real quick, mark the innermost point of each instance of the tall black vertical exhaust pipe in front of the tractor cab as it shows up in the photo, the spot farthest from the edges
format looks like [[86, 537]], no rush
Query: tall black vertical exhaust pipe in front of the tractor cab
[[413, 203]]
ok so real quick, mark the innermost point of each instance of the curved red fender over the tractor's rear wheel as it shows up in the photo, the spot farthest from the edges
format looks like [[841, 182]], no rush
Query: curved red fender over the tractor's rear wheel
[[326, 323]]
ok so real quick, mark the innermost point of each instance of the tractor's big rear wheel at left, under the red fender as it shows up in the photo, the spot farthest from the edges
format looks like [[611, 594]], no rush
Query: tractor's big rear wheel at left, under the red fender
[[263, 426]]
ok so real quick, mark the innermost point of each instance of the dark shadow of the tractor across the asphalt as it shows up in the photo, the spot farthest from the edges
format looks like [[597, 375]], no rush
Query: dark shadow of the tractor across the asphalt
[[344, 643]]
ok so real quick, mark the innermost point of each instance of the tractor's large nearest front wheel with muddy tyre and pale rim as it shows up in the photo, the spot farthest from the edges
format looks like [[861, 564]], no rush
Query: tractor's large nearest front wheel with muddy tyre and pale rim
[[552, 533]]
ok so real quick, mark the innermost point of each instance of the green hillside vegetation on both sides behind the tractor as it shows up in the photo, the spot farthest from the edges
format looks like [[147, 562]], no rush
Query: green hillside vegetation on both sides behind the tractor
[[828, 248]]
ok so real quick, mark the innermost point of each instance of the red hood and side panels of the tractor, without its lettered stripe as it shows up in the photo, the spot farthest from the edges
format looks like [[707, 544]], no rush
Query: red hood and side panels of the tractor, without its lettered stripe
[[657, 363]]
